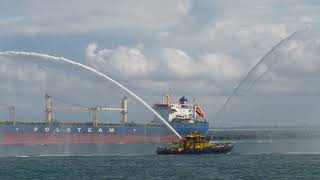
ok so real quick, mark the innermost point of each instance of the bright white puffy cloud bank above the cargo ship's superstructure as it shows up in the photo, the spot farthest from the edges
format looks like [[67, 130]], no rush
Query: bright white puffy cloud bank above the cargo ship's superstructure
[[166, 65]]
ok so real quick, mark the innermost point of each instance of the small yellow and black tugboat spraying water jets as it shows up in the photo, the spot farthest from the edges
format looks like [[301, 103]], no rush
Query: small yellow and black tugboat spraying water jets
[[195, 143]]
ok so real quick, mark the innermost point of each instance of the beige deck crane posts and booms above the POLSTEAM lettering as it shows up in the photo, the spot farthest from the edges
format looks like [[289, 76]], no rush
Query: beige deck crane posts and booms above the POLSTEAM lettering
[[92, 110]]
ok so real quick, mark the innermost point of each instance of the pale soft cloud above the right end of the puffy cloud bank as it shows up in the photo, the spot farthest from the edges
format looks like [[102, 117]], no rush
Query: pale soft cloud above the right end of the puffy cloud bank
[[244, 40]]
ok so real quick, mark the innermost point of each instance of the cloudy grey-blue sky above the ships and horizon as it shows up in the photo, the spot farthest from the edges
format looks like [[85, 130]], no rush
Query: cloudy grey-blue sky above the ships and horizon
[[199, 49]]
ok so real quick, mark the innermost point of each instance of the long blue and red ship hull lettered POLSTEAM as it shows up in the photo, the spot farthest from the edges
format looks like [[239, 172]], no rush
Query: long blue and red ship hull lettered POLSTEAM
[[105, 134]]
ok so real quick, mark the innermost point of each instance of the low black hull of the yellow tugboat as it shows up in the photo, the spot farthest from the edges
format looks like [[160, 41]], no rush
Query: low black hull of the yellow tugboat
[[214, 150]]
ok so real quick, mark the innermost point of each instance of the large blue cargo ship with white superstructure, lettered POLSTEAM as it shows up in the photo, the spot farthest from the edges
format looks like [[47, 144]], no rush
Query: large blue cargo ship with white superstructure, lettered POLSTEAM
[[183, 116]]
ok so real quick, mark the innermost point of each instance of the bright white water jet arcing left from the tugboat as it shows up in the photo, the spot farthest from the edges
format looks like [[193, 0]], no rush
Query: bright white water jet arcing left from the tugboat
[[16, 53]]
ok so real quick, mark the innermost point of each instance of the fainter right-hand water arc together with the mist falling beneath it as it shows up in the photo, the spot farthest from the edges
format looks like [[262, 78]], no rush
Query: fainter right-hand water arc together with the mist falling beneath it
[[251, 75]]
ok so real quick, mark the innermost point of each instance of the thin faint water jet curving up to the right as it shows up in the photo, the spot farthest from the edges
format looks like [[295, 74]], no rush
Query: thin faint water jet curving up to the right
[[252, 70]]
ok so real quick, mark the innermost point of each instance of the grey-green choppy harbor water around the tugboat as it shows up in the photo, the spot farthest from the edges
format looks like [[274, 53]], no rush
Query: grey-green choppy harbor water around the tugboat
[[250, 159]]
